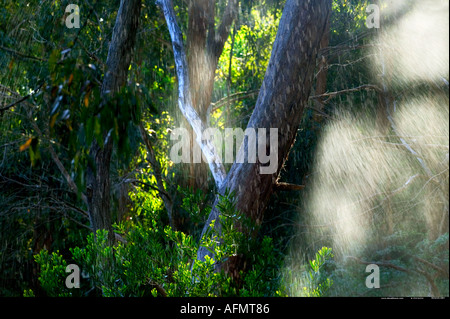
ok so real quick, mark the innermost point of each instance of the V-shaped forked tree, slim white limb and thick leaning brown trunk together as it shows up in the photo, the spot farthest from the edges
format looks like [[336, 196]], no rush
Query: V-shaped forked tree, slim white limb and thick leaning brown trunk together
[[281, 101]]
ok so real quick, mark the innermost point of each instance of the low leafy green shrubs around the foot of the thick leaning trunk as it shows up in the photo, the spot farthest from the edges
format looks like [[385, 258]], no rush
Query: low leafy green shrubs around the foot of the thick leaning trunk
[[159, 261]]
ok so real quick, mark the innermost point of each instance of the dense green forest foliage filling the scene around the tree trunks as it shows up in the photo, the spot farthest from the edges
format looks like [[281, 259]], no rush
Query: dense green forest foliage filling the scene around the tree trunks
[[51, 109]]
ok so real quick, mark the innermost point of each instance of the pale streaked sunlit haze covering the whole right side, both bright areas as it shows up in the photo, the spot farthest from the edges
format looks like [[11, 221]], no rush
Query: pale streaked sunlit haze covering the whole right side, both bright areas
[[381, 173]]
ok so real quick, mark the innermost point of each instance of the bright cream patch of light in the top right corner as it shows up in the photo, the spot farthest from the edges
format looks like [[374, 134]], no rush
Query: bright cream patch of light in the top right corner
[[415, 46]]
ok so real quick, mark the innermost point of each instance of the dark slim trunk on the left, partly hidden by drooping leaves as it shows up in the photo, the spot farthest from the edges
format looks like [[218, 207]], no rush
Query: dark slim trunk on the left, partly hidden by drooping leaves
[[117, 64]]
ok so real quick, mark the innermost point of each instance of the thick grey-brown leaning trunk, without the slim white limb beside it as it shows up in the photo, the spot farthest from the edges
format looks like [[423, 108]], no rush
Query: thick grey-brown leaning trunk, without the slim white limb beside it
[[281, 101]]
